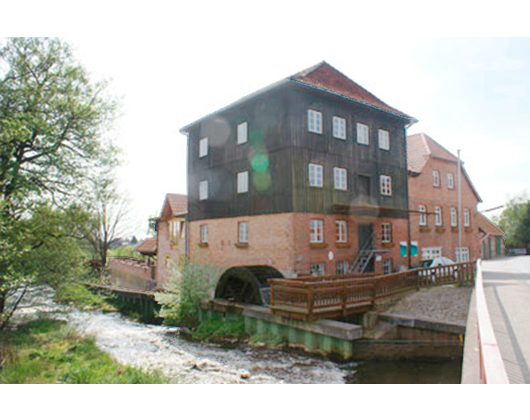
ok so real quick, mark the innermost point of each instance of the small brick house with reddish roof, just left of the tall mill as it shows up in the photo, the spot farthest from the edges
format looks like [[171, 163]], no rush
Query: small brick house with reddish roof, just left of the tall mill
[[171, 235]]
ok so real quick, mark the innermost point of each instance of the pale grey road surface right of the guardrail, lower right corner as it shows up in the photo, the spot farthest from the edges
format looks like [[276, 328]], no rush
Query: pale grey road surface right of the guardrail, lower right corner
[[507, 289]]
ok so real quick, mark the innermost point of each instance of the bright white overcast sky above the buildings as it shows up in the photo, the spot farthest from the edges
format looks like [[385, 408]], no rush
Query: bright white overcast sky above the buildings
[[469, 94]]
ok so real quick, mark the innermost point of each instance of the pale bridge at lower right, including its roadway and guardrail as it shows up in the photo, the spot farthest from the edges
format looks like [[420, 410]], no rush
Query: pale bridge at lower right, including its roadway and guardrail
[[499, 353]]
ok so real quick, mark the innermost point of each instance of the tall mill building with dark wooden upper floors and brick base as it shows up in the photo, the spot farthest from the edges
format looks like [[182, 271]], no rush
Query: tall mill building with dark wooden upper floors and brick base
[[300, 176]]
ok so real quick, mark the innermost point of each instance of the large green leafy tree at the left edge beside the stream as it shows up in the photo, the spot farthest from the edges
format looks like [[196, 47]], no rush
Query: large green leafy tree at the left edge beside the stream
[[52, 120]]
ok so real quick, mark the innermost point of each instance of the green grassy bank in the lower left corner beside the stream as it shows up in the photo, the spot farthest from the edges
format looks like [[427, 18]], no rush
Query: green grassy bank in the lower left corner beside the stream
[[49, 352]]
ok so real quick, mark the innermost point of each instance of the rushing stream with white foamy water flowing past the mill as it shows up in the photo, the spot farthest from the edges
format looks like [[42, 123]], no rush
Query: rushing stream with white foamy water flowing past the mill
[[155, 347]]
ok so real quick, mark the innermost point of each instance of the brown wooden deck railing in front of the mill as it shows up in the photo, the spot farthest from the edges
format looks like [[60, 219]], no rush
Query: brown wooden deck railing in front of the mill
[[332, 297]]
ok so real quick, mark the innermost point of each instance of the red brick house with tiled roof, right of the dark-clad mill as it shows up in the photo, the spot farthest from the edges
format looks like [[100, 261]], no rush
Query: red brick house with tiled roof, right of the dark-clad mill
[[433, 202]]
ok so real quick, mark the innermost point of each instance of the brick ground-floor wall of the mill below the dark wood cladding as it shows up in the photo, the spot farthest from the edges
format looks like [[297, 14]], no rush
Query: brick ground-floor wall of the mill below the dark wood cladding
[[282, 241]]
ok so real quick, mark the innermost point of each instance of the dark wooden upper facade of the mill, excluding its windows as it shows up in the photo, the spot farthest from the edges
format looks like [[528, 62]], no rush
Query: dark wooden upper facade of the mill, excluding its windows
[[280, 148]]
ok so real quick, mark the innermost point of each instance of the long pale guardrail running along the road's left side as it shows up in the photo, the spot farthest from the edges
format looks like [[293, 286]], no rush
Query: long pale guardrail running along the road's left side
[[492, 369]]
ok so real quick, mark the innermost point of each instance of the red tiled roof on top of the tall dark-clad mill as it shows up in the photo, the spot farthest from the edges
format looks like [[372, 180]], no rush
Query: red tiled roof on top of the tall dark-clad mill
[[328, 78]]
